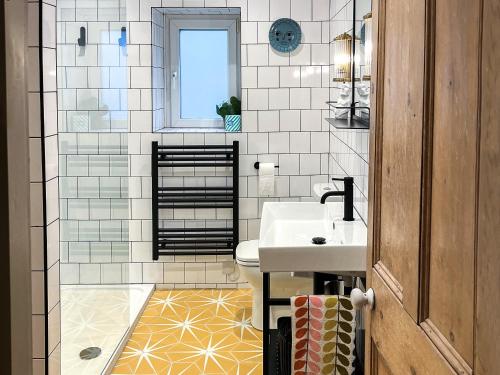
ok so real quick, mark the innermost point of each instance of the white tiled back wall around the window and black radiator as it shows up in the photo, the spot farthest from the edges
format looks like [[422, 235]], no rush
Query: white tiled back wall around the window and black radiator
[[111, 102]]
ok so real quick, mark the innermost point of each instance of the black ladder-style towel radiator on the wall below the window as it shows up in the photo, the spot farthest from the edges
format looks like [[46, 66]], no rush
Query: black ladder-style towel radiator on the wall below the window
[[186, 239]]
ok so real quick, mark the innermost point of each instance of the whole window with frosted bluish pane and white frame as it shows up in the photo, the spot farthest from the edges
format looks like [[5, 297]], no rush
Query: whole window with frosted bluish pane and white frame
[[203, 70]]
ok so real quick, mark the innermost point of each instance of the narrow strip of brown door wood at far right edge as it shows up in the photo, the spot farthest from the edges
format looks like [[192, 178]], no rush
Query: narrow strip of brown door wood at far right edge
[[486, 325]]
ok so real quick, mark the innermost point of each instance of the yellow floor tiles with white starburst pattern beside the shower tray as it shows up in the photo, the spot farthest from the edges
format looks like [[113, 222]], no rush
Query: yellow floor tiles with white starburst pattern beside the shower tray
[[194, 332]]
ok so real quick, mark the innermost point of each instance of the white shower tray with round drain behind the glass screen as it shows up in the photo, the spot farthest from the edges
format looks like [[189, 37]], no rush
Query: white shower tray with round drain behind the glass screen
[[97, 315]]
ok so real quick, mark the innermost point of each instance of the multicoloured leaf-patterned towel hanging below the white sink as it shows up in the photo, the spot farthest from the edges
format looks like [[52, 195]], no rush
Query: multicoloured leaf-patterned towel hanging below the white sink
[[323, 329]]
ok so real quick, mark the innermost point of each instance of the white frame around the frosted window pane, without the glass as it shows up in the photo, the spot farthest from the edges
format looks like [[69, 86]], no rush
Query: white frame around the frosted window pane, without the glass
[[201, 22]]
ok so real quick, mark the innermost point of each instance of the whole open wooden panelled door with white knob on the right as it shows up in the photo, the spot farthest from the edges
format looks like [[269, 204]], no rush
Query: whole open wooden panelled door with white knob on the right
[[434, 205]]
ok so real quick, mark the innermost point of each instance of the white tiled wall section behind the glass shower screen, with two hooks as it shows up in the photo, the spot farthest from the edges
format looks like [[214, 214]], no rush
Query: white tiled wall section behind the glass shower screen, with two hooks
[[94, 117]]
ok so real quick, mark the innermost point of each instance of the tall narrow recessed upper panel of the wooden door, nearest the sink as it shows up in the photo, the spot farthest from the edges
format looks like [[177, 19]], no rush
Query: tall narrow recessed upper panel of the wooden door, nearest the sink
[[401, 145]]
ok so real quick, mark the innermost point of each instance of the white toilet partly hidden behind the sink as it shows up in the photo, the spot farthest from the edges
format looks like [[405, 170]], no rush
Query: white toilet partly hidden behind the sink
[[282, 283]]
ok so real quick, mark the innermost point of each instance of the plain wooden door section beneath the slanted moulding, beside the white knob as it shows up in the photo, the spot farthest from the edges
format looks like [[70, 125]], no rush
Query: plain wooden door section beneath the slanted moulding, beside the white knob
[[402, 345]]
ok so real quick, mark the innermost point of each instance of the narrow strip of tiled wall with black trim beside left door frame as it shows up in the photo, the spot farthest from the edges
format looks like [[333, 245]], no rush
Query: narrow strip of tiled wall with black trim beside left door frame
[[44, 218]]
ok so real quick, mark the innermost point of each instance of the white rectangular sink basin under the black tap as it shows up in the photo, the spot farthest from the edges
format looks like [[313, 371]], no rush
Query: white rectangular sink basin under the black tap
[[286, 233]]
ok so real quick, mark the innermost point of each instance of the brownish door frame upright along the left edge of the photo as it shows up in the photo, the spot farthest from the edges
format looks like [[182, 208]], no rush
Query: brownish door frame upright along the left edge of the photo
[[15, 190]]
